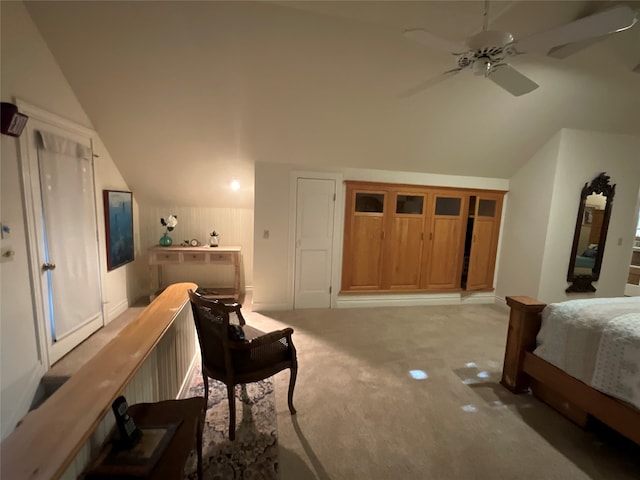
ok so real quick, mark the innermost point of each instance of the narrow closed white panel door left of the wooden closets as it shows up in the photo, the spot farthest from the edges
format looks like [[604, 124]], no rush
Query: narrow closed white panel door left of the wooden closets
[[315, 205]]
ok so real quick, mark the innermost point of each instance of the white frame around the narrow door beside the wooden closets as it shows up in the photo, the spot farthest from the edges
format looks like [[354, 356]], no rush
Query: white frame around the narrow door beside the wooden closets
[[338, 227]]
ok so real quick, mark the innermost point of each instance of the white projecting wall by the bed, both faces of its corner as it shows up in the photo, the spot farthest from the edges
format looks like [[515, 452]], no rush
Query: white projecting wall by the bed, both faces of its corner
[[542, 209]]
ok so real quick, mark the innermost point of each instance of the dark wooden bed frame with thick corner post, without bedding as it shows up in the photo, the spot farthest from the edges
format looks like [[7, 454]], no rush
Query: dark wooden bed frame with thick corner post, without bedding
[[571, 397]]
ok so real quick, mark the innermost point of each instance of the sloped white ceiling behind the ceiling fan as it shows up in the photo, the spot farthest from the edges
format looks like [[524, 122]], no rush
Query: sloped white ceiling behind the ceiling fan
[[196, 92]]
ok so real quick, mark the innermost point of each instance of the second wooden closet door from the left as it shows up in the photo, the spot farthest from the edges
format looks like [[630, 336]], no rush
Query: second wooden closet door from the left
[[403, 247]]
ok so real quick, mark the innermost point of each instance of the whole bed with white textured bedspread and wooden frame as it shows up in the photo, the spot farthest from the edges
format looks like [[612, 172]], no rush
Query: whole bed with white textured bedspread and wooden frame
[[582, 357]]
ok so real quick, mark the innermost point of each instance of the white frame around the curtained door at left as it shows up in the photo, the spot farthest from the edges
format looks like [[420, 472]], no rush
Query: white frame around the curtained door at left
[[43, 331]]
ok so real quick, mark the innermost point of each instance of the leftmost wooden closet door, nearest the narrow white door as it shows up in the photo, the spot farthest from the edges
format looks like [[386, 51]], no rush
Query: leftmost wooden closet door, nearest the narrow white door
[[363, 240]]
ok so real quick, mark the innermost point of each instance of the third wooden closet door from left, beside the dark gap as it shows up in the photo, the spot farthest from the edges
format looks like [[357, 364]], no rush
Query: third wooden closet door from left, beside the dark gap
[[444, 245]]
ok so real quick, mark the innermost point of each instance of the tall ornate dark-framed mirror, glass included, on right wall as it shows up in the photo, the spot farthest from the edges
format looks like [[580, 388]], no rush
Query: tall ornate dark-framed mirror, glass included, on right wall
[[596, 201]]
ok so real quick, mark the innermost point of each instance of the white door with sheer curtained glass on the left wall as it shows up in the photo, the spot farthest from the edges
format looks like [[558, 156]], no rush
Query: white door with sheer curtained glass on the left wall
[[65, 257]]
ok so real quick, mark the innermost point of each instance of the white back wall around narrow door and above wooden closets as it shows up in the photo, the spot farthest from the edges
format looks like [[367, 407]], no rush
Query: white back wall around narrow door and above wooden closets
[[273, 257]]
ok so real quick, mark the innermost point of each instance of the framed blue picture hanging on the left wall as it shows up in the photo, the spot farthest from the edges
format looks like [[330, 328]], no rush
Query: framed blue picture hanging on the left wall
[[118, 216]]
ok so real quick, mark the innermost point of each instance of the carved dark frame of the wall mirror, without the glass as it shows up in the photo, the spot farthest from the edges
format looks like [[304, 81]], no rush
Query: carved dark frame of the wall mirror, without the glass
[[582, 282]]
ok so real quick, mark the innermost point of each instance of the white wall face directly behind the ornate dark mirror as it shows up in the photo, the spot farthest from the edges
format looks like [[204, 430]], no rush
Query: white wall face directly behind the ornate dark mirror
[[582, 156]]
